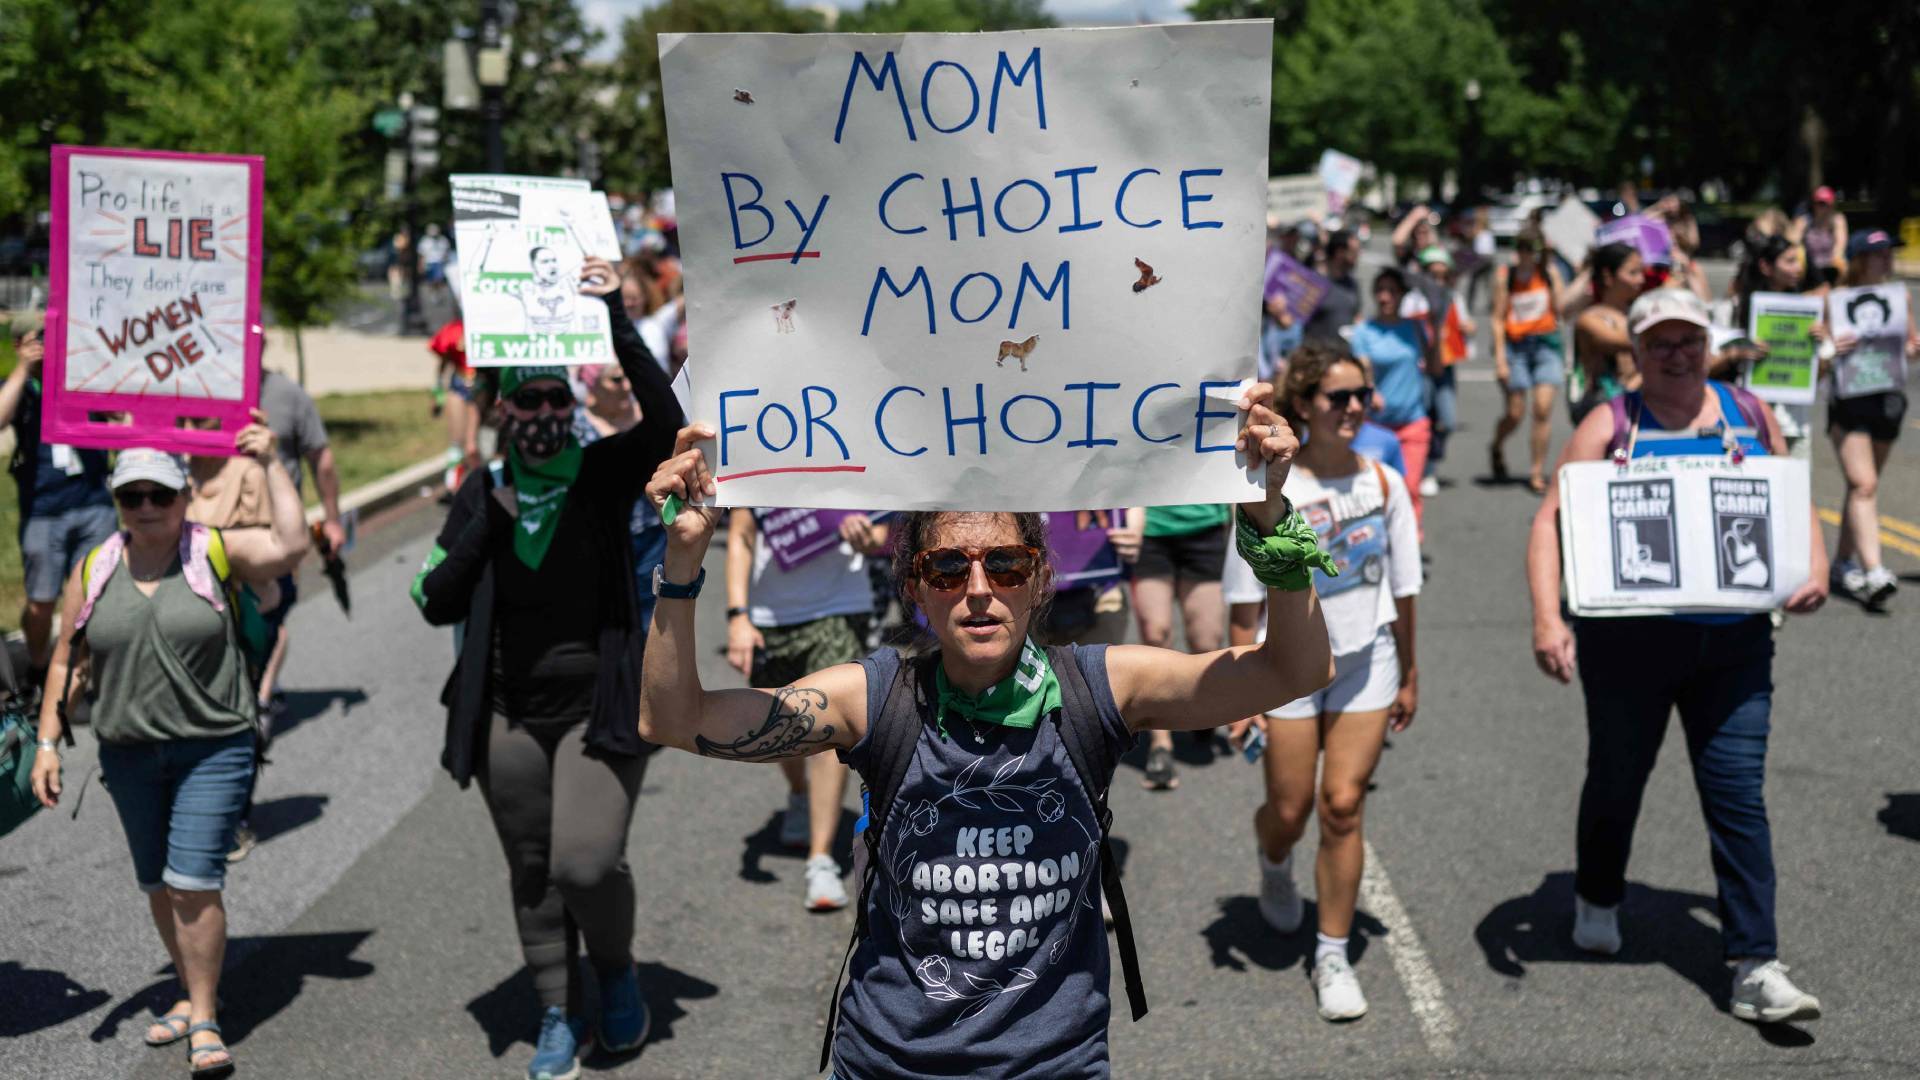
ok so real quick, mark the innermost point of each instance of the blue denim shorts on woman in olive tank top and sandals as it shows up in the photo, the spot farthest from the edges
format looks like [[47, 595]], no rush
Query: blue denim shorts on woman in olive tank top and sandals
[[180, 802]]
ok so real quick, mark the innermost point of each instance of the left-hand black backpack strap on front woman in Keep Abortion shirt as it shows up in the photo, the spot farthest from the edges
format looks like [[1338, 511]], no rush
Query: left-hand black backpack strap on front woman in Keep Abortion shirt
[[892, 737]]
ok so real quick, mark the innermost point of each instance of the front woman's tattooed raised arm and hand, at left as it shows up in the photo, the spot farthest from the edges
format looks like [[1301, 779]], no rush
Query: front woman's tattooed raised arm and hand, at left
[[817, 714]]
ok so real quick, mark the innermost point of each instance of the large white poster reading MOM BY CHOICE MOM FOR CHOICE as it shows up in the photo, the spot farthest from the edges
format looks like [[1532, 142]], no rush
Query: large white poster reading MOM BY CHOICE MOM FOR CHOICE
[[994, 272]]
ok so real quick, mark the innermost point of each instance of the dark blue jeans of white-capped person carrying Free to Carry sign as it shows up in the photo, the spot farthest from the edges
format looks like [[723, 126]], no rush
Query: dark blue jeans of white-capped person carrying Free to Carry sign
[[1637, 674]]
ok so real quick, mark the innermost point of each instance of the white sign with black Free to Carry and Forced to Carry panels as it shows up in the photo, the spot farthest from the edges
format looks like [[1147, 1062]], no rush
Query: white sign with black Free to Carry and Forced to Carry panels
[[1675, 535]]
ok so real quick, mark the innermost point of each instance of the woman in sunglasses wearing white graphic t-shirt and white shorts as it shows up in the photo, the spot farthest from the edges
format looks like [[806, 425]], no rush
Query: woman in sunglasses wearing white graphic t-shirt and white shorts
[[1364, 518]]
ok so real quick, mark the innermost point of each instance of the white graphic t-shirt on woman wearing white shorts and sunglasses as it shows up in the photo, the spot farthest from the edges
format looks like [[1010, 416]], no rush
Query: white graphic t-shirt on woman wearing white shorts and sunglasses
[[1374, 541]]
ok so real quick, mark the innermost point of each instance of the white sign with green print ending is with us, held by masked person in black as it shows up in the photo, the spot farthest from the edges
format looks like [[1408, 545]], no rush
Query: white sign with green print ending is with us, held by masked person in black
[[521, 243]]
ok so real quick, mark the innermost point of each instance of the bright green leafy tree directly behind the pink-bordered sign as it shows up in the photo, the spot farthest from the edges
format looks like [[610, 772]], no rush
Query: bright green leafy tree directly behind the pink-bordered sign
[[229, 78]]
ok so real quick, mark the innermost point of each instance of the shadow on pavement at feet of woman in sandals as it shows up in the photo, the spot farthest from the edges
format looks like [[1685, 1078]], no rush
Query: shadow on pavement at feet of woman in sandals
[[264, 977]]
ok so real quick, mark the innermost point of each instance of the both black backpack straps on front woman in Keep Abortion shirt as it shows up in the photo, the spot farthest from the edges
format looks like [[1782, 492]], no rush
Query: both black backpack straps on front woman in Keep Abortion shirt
[[892, 739]]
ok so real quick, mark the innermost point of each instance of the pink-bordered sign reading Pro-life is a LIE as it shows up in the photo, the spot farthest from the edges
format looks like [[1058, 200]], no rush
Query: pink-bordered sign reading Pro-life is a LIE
[[155, 312]]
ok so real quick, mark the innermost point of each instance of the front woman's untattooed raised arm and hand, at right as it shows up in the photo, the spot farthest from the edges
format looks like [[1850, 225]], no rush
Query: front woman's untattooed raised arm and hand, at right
[[1164, 689]]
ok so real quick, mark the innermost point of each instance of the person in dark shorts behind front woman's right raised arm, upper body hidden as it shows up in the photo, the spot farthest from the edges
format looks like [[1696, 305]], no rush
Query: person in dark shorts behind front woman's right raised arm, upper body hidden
[[1184, 552]]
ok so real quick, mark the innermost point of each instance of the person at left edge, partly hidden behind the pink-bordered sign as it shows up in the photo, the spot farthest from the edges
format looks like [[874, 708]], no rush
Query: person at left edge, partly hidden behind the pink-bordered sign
[[64, 503]]
